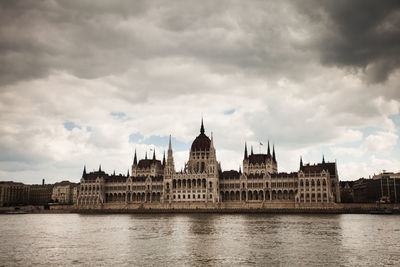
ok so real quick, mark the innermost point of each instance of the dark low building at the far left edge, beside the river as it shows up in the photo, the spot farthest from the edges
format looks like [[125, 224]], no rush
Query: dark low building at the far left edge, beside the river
[[12, 194]]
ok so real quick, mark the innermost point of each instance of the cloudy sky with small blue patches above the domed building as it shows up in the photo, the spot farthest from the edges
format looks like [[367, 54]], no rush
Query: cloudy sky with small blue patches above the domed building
[[88, 82]]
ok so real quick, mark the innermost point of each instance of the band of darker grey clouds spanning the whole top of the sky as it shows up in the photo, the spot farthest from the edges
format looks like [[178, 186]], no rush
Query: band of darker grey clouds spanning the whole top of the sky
[[91, 39]]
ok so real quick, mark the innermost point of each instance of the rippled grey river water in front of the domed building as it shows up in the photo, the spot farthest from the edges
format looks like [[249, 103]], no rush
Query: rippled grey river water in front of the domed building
[[199, 240]]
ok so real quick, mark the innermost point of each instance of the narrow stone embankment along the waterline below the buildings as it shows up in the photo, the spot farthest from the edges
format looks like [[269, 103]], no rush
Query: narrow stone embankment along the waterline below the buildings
[[112, 208]]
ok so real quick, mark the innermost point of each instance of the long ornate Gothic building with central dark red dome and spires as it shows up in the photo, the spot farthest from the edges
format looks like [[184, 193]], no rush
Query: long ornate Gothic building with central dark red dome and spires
[[203, 181]]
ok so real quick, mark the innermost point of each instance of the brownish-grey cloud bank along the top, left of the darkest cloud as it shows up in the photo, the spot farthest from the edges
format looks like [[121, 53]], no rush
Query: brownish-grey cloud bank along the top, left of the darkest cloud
[[95, 39]]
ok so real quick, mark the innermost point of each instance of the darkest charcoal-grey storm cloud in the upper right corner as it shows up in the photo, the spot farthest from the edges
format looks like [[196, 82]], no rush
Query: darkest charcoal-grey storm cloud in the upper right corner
[[362, 34]]
